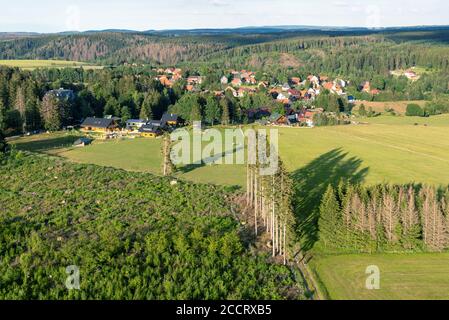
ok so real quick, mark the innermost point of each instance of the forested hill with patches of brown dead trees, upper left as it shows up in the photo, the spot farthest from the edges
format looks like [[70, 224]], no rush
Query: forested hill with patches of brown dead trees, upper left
[[107, 47]]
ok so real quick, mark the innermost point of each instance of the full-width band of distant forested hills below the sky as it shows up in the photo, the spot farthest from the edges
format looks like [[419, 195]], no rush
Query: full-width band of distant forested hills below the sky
[[172, 47]]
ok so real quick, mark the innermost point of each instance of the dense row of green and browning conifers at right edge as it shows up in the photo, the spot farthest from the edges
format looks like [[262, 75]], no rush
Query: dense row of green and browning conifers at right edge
[[384, 218]]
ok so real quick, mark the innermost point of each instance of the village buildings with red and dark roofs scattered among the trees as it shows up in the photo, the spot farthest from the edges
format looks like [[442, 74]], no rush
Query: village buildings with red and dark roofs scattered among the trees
[[239, 84]]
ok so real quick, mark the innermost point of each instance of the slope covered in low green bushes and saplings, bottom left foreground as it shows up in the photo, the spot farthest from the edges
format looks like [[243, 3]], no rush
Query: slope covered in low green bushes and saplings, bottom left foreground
[[132, 235]]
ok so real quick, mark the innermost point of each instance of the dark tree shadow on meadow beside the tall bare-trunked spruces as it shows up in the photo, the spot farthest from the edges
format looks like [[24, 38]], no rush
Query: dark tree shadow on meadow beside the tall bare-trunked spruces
[[310, 184]]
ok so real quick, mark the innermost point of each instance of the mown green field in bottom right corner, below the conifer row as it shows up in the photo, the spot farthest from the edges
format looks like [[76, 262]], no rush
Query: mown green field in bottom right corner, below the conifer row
[[402, 277]]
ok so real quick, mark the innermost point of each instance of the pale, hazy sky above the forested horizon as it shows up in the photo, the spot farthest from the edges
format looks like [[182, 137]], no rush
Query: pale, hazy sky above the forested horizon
[[82, 15]]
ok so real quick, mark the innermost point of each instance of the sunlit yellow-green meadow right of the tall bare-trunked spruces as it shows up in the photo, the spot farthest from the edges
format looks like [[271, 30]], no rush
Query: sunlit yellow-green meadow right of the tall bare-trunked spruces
[[390, 149]]
